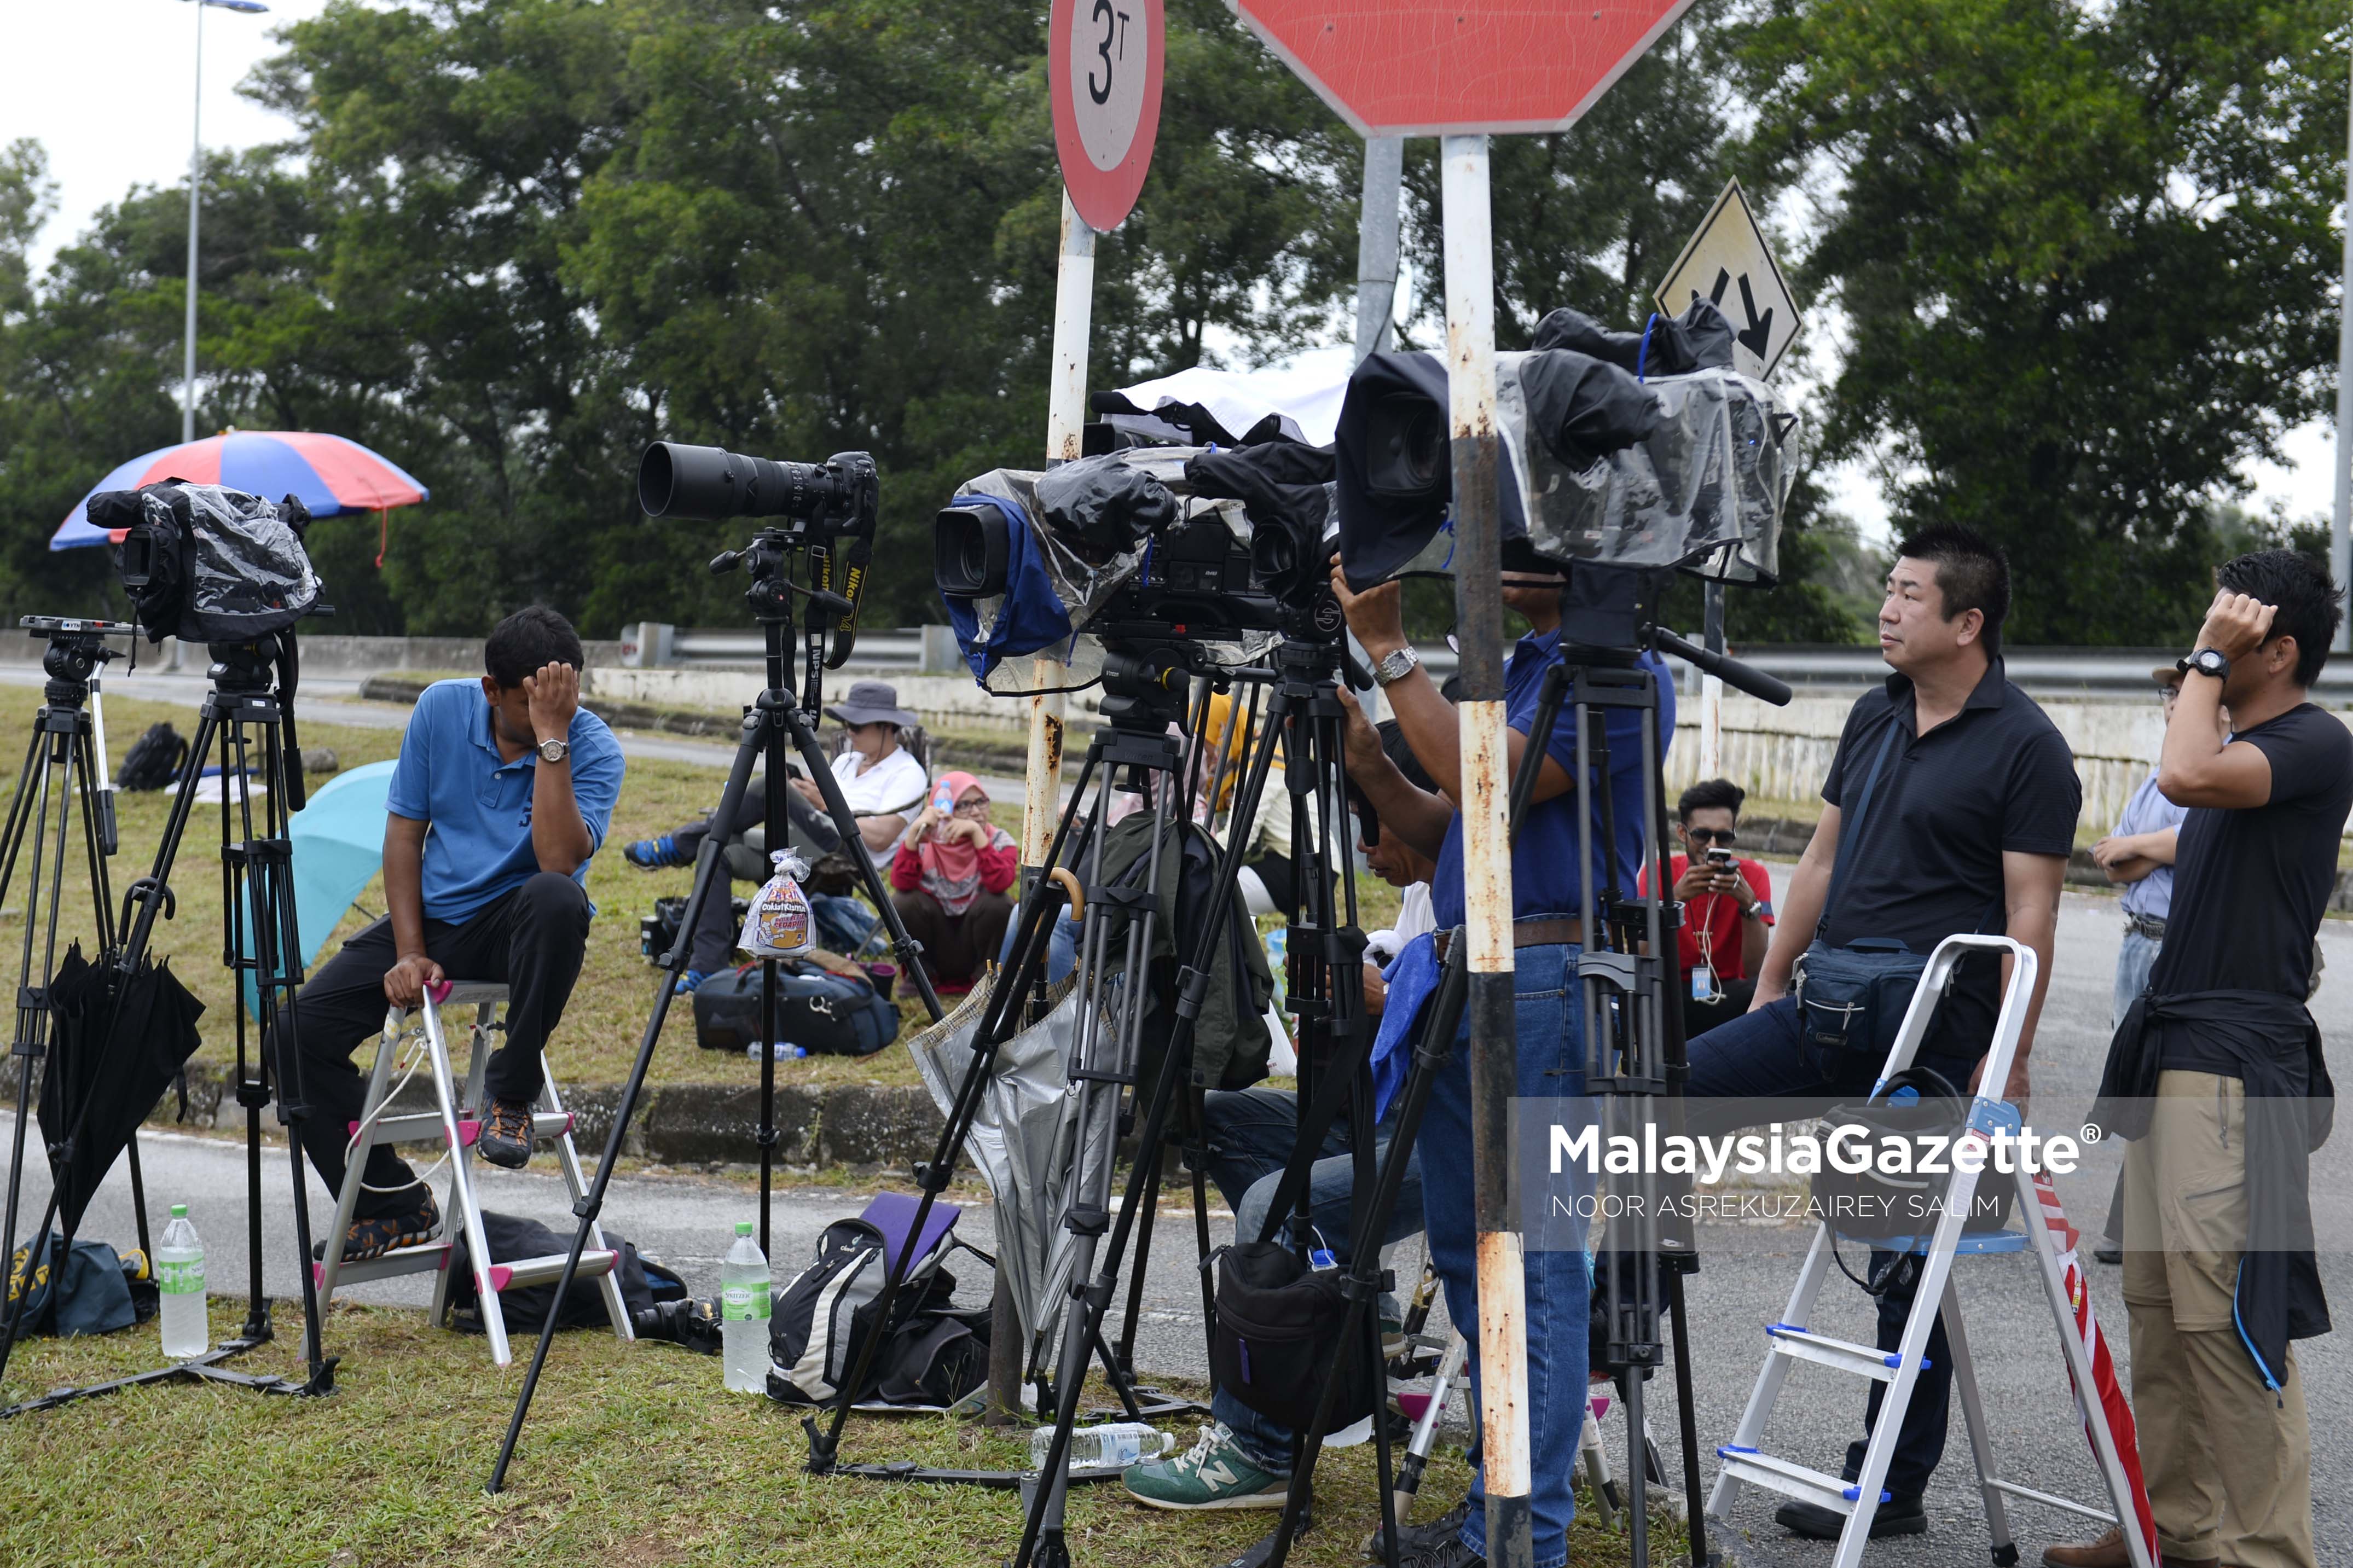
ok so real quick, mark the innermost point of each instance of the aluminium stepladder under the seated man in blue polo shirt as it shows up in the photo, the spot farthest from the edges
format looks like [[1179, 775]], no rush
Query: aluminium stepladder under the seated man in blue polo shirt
[[455, 1125]]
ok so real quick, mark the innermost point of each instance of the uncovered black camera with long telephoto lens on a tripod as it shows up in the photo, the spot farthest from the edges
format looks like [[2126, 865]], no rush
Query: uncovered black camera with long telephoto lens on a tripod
[[818, 502]]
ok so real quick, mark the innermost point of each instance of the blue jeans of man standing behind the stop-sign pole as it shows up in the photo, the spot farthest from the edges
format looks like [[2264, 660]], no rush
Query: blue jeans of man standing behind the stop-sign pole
[[1552, 1050]]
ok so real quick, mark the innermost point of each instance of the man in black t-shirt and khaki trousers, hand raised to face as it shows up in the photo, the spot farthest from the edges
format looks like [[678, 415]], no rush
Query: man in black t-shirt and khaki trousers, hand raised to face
[[2220, 1059]]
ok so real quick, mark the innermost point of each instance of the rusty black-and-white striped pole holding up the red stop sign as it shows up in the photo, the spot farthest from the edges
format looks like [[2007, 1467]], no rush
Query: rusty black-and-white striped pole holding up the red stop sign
[[1479, 610]]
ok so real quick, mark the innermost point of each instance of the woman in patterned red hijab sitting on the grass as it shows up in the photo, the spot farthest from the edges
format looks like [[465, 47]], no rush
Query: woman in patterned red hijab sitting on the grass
[[949, 883]]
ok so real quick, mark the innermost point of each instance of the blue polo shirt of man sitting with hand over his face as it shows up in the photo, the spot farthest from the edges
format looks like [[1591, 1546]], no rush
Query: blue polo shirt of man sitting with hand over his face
[[481, 808]]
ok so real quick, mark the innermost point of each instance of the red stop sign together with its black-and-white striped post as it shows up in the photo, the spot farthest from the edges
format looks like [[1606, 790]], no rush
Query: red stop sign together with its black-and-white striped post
[[1462, 72]]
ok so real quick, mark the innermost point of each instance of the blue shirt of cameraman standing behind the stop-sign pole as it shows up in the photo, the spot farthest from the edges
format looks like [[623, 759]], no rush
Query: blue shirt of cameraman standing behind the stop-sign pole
[[1545, 880]]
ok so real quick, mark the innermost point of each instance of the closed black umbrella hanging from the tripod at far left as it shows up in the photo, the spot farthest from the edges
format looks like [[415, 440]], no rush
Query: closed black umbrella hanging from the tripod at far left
[[116, 1043]]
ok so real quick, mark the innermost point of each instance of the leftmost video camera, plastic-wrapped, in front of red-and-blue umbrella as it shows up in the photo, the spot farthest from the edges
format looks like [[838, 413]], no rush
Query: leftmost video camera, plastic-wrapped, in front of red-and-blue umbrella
[[211, 565]]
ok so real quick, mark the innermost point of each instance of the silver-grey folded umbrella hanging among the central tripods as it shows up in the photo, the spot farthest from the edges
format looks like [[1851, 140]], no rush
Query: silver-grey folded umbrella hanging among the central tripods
[[1025, 1141]]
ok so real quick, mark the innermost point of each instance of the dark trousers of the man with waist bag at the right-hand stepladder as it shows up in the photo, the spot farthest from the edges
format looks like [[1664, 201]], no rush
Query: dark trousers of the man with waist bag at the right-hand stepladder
[[1764, 1057]]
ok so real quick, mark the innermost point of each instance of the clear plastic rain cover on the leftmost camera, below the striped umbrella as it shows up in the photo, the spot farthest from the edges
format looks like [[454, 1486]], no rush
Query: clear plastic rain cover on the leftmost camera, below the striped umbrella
[[246, 568]]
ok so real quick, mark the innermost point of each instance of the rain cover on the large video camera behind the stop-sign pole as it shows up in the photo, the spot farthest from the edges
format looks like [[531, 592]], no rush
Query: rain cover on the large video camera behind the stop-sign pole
[[1695, 469]]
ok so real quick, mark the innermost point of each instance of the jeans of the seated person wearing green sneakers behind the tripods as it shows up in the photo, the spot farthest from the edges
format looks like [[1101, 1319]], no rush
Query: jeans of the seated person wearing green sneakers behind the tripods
[[1251, 1137]]
